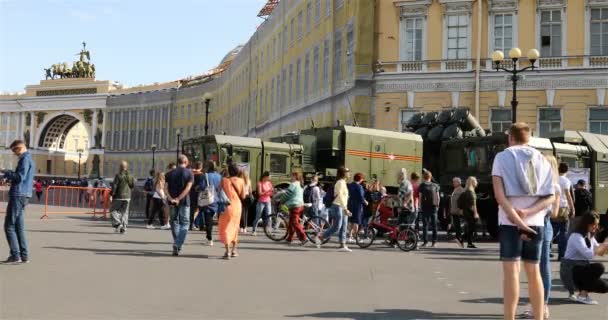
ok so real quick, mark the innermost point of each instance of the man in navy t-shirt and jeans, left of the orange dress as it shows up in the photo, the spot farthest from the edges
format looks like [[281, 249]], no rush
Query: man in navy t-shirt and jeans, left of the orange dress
[[177, 188]]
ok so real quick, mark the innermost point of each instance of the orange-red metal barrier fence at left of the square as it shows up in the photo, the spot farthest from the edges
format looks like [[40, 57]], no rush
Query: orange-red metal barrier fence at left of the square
[[76, 200]]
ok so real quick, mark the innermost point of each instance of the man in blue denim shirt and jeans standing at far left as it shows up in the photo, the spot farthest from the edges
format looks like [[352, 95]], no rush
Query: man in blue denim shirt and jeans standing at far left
[[22, 181]]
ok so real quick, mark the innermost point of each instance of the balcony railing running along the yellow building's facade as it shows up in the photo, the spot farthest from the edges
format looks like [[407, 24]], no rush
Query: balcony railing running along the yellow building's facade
[[464, 65]]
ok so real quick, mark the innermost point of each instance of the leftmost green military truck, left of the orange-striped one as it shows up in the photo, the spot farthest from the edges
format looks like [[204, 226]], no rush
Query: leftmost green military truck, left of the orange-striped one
[[251, 154]]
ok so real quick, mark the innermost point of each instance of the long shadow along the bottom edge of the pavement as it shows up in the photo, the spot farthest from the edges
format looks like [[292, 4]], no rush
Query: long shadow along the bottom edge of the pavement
[[395, 314]]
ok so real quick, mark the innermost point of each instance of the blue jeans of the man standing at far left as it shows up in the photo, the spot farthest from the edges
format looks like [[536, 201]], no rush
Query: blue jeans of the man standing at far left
[[14, 226]]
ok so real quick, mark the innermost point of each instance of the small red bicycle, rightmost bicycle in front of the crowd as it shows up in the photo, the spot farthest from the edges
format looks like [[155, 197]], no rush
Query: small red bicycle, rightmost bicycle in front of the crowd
[[384, 221]]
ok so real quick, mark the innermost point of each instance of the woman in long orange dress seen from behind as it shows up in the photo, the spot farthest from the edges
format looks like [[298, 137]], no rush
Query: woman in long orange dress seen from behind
[[229, 220]]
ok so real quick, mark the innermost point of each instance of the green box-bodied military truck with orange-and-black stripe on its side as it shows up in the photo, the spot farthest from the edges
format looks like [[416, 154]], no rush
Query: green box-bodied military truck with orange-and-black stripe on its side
[[378, 154]]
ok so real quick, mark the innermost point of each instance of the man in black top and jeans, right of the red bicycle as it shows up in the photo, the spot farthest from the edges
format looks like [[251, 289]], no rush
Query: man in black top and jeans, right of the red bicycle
[[429, 205]]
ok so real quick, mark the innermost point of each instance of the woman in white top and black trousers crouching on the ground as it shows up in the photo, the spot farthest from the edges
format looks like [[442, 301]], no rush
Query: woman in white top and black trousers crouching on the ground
[[576, 269]]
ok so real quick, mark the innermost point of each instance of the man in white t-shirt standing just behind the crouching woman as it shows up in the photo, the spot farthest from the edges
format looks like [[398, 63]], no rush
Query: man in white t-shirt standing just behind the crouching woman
[[566, 211]]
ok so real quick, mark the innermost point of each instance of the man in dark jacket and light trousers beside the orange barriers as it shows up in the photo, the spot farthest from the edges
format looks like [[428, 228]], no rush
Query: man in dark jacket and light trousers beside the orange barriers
[[121, 196]]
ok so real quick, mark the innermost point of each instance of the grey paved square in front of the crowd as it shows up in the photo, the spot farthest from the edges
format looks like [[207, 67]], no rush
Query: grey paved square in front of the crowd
[[82, 270]]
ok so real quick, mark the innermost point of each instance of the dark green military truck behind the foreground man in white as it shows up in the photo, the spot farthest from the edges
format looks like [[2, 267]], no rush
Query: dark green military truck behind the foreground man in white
[[586, 154]]
